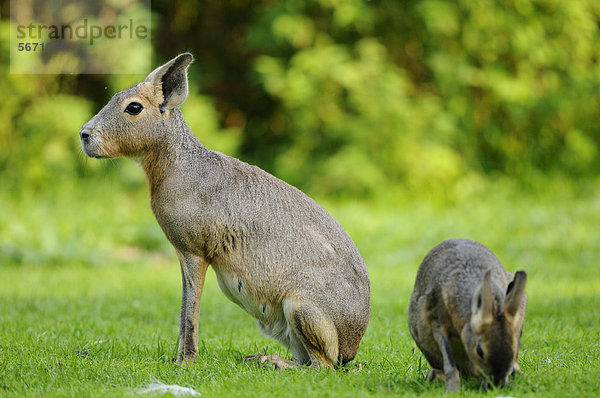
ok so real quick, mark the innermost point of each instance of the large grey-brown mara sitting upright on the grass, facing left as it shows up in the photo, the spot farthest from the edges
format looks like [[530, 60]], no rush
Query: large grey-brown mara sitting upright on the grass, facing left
[[277, 254]]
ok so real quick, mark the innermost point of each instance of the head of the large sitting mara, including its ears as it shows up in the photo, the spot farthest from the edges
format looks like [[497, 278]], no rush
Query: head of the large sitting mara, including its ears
[[136, 119]]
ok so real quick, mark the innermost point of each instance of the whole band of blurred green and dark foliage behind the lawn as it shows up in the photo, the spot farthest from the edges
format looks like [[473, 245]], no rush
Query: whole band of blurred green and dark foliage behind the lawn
[[345, 97]]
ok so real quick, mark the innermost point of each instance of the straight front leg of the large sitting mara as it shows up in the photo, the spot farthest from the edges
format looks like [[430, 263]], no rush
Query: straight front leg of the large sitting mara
[[193, 272]]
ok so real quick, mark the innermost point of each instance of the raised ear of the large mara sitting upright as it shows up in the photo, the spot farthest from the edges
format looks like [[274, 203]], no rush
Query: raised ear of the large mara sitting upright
[[172, 78]]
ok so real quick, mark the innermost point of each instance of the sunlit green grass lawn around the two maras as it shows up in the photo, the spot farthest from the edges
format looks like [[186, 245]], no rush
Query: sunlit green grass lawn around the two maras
[[90, 291]]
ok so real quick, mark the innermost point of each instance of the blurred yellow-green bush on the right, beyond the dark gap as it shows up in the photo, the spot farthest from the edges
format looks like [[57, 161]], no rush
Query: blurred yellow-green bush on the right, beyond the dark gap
[[426, 92]]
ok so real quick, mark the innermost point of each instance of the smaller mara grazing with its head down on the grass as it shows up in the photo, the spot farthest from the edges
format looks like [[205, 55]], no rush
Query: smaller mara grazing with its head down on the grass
[[463, 298]]
